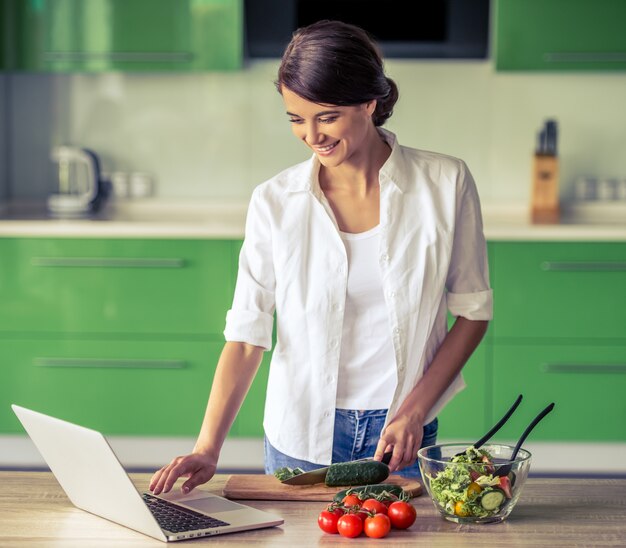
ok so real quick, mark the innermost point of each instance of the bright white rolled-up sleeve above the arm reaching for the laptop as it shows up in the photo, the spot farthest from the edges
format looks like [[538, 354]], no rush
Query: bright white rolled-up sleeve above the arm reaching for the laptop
[[251, 317]]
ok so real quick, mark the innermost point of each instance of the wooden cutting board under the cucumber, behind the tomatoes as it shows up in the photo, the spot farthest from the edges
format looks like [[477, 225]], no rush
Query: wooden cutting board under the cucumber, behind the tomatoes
[[267, 487]]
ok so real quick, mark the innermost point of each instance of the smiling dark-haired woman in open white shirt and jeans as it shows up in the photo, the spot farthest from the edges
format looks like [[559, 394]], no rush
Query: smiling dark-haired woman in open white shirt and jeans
[[359, 253]]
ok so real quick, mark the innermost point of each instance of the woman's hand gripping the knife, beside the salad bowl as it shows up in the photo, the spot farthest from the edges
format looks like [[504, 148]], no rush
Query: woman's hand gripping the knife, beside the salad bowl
[[403, 435]]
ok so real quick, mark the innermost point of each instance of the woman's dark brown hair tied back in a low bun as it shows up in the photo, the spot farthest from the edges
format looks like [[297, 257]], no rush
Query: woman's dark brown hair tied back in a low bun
[[336, 63]]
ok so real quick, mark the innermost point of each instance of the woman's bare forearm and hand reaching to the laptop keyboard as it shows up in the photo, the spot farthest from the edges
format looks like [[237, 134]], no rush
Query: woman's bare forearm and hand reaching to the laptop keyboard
[[235, 372]]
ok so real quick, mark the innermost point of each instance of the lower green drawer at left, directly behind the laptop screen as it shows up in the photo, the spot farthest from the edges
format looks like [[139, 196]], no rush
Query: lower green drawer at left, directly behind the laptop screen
[[116, 386]]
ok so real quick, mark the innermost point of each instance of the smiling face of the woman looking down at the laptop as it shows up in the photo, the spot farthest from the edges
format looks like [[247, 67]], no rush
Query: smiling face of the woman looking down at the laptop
[[335, 133]]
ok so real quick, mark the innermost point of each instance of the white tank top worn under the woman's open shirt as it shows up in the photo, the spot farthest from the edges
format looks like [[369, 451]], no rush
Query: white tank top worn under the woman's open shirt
[[367, 364]]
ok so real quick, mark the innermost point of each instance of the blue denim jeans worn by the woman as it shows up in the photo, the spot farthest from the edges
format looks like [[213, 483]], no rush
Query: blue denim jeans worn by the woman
[[356, 436]]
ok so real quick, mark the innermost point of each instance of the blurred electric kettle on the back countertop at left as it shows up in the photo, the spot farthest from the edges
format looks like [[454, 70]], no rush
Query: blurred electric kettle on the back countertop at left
[[81, 188]]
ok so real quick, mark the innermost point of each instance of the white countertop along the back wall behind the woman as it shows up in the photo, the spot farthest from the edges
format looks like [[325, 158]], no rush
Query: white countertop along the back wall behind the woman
[[225, 220]]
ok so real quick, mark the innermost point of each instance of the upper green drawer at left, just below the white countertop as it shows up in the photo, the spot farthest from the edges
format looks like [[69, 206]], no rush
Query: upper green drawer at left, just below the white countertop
[[115, 286]]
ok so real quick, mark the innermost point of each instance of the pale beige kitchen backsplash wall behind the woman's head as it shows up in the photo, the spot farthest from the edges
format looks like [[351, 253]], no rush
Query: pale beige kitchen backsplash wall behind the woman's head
[[217, 135]]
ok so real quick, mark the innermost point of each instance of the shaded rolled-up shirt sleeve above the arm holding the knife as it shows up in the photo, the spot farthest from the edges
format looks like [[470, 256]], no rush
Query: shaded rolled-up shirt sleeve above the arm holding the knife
[[468, 288]]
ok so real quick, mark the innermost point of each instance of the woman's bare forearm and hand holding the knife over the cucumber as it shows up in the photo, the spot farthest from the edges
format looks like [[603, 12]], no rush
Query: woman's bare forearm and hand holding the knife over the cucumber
[[403, 433]]
